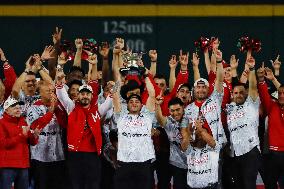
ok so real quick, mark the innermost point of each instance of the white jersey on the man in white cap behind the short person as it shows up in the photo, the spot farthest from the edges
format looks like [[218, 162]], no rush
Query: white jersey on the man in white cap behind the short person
[[211, 110]]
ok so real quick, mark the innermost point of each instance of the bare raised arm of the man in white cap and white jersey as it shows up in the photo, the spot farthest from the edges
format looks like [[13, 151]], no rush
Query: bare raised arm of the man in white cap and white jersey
[[219, 72]]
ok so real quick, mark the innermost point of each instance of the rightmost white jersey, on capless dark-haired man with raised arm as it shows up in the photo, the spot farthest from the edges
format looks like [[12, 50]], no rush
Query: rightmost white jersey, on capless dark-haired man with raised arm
[[243, 121]]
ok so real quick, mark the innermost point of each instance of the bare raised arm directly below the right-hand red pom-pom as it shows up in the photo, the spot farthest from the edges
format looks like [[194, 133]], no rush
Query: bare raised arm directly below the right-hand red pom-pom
[[252, 79]]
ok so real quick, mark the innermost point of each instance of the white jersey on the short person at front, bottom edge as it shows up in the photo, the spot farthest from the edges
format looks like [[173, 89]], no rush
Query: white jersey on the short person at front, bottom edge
[[202, 166]]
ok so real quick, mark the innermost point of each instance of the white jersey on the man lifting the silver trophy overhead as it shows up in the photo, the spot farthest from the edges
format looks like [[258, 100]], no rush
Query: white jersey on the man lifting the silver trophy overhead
[[134, 137]]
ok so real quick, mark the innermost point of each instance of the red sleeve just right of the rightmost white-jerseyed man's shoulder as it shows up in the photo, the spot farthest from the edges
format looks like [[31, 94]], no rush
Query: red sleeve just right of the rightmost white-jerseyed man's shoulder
[[264, 96]]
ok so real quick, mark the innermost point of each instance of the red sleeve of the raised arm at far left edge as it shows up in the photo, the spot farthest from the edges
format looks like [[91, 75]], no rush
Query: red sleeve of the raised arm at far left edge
[[10, 78]]
